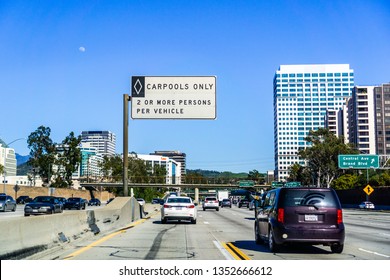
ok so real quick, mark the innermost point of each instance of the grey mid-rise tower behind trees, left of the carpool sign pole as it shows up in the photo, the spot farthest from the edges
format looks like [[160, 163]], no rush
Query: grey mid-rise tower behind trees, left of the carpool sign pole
[[103, 141]]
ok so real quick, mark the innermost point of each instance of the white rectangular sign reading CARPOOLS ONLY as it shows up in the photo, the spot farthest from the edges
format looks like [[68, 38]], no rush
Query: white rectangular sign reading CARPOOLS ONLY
[[183, 97]]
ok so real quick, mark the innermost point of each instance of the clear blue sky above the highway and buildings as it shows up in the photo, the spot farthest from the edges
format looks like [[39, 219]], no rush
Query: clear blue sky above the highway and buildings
[[46, 79]]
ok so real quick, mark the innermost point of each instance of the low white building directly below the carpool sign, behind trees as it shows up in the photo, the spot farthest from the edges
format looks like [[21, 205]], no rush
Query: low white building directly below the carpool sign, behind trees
[[173, 167]]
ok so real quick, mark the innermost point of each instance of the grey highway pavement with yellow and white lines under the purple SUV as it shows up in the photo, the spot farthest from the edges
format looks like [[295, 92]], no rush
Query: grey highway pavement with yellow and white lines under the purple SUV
[[367, 237]]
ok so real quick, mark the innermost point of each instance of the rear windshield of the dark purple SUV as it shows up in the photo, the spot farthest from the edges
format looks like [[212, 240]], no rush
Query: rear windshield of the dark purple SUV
[[291, 197]]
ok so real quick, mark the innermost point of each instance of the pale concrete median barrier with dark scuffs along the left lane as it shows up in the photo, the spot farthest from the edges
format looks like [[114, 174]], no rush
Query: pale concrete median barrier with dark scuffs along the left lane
[[25, 236]]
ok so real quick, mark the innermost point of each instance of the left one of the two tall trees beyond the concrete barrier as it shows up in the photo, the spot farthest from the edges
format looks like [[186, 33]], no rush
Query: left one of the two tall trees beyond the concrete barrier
[[42, 152]]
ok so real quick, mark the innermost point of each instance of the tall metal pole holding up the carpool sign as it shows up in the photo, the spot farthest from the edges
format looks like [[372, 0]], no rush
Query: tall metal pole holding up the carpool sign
[[126, 100]]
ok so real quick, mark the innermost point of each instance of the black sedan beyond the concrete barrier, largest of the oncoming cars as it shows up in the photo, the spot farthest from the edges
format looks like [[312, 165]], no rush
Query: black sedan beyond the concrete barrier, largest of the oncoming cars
[[43, 205]]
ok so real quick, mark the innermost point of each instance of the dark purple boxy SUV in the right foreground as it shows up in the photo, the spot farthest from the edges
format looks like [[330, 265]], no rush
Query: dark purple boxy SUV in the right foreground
[[300, 215]]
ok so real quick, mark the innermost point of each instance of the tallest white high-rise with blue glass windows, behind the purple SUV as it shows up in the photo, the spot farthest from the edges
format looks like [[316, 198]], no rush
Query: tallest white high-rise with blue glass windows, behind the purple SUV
[[302, 96]]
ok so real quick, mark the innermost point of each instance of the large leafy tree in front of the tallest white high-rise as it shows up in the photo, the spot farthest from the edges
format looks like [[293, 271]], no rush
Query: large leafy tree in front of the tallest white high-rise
[[322, 155]]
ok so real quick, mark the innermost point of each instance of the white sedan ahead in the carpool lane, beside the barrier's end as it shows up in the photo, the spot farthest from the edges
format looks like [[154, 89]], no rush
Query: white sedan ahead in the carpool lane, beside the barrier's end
[[178, 208]]
